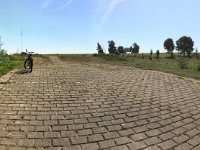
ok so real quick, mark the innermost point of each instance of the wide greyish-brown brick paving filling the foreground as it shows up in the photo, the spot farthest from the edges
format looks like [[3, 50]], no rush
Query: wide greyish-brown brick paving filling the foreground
[[71, 106]]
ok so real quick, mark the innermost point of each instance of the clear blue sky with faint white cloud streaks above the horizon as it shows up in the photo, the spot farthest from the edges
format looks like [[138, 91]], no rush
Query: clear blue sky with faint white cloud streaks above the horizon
[[75, 26]]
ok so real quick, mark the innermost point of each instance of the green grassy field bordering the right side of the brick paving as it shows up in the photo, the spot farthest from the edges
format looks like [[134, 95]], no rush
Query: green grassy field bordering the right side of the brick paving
[[173, 66]]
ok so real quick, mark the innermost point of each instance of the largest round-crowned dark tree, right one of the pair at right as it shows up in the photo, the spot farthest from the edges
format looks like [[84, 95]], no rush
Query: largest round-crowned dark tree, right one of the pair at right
[[185, 45]]
